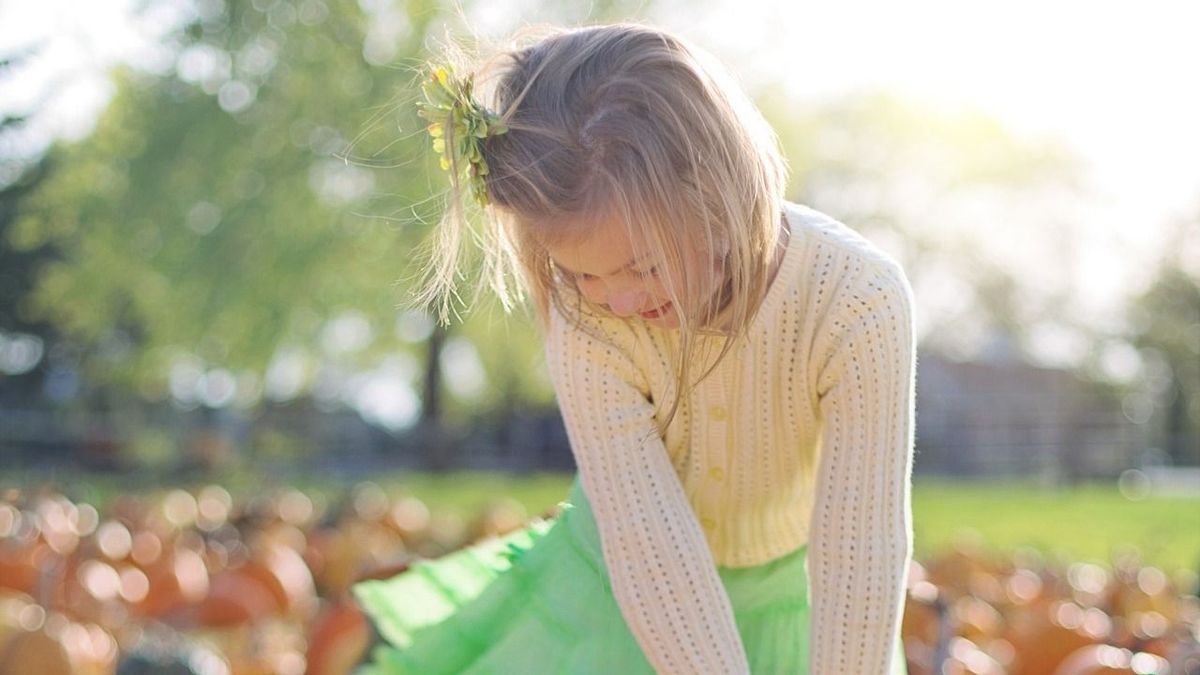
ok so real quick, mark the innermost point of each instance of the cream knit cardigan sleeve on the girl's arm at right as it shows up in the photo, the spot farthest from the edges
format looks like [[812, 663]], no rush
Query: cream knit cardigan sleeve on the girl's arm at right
[[861, 536]]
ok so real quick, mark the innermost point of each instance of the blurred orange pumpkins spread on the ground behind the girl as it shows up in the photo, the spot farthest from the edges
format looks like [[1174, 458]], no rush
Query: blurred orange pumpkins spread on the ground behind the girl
[[200, 582]]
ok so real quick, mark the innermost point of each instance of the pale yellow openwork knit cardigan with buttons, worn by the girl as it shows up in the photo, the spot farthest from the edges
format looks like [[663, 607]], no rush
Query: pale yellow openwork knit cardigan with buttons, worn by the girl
[[803, 435]]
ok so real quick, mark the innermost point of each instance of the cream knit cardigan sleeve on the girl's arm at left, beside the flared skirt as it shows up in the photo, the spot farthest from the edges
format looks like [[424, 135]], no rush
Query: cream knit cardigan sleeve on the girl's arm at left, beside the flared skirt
[[664, 576]]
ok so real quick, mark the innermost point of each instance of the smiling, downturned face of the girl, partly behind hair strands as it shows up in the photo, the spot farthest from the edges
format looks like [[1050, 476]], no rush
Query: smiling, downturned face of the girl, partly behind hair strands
[[620, 274]]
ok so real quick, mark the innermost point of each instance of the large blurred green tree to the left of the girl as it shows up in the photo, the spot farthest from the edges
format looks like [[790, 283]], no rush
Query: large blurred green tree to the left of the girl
[[241, 226]]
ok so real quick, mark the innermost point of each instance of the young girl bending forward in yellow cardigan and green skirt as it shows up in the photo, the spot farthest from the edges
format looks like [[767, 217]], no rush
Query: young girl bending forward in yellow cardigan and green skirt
[[735, 372]]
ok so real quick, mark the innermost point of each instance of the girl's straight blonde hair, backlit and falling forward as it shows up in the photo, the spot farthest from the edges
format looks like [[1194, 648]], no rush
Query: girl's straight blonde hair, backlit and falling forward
[[629, 123]]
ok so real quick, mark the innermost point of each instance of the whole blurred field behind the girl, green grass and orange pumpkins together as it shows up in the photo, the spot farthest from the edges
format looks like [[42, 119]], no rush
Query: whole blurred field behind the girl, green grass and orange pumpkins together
[[254, 568]]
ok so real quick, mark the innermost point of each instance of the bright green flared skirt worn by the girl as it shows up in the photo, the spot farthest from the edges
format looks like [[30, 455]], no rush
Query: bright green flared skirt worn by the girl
[[539, 601]]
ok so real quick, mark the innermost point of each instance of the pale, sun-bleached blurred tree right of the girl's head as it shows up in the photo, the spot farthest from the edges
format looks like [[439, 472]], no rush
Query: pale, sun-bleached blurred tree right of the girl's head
[[983, 220]]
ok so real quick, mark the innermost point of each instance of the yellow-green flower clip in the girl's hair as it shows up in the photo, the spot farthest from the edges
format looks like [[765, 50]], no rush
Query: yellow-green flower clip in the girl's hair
[[459, 124]]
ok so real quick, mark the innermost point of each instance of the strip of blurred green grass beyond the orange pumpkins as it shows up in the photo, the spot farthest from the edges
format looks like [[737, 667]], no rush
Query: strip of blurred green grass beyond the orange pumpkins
[[1087, 523]]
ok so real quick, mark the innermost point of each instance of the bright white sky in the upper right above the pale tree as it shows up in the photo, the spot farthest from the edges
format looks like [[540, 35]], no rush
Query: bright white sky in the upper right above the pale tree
[[1118, 81]]
